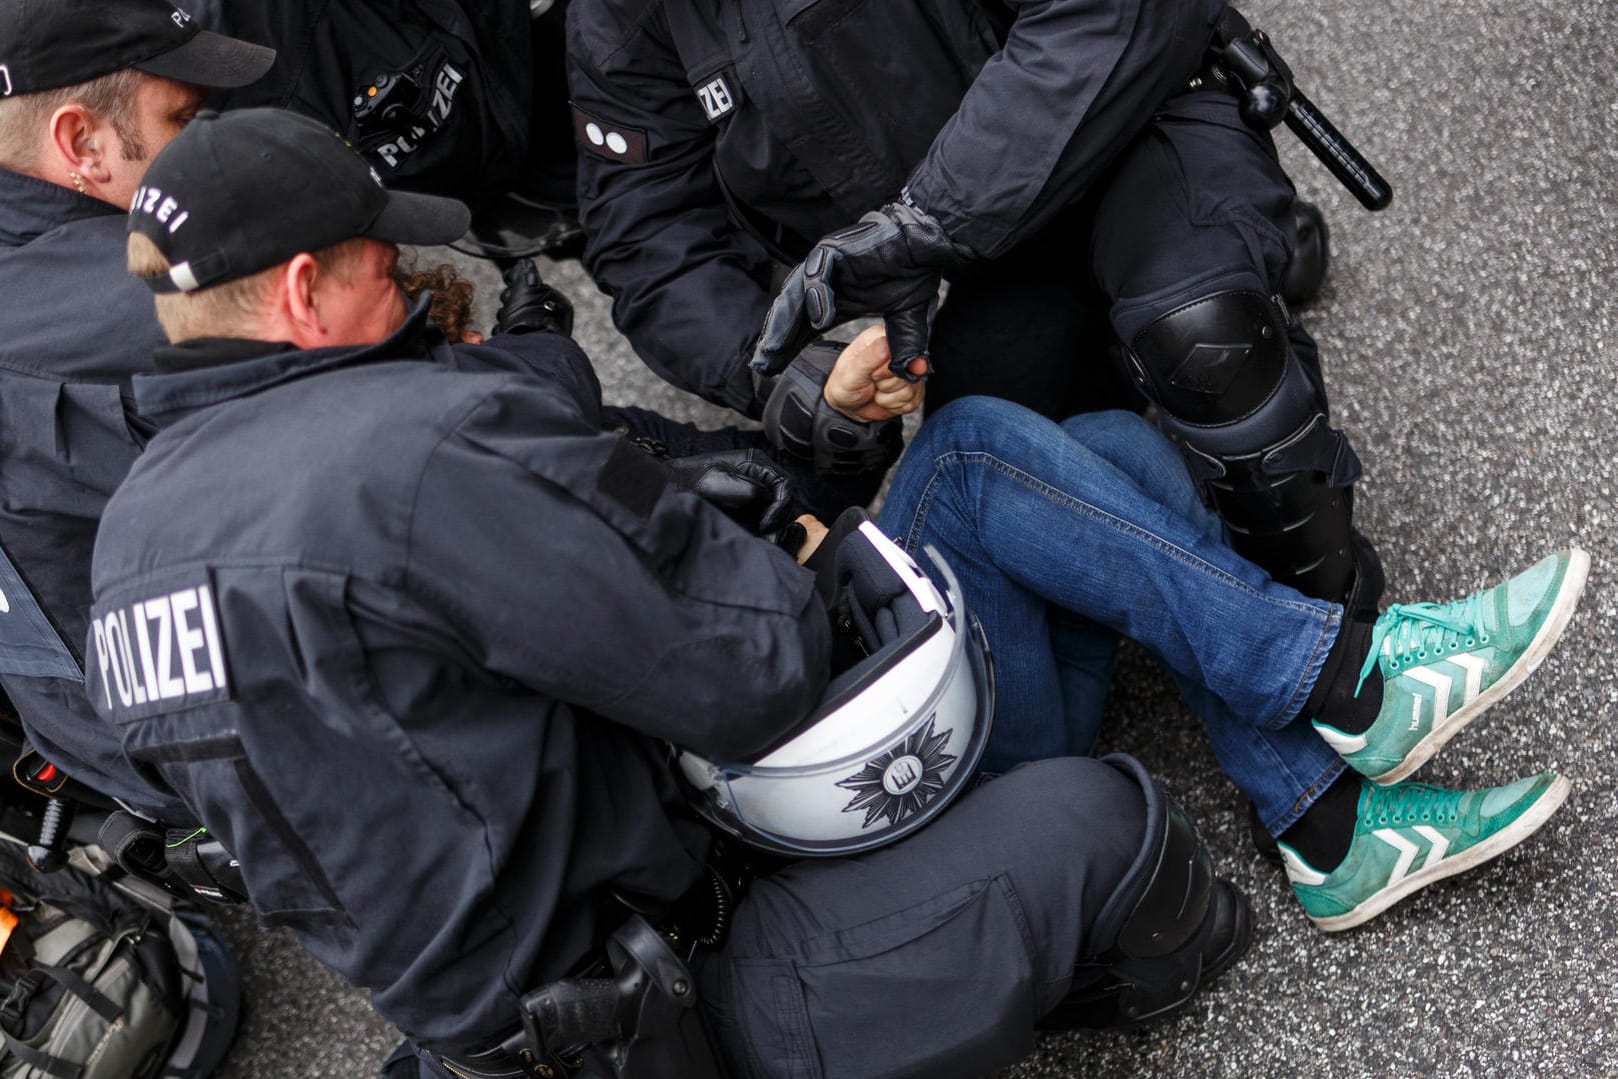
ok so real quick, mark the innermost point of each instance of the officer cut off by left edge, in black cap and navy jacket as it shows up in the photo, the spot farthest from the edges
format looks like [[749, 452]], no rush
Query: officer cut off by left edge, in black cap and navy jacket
[[90, 91]]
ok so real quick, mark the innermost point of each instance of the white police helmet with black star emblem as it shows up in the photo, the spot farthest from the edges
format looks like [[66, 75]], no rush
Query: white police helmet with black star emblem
[[894, 740]]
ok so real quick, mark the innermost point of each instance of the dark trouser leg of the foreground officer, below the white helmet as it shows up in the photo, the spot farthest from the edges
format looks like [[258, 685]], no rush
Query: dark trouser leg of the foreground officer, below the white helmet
[[936, 955]]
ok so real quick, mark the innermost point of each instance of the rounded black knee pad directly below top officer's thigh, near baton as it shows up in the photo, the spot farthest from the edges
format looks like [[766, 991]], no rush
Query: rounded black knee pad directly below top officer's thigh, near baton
[[1216, 360]]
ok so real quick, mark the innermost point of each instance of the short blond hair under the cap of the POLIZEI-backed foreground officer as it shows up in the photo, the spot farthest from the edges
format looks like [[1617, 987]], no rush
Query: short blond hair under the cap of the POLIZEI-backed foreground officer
[[232, 308]]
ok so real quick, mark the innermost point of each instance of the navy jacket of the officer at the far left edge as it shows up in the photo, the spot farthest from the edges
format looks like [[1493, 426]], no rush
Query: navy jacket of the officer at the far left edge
[[74, 331]]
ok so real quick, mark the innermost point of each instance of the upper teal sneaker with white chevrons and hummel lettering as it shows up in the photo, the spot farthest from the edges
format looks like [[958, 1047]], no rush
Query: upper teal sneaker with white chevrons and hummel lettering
[[1446, 664]]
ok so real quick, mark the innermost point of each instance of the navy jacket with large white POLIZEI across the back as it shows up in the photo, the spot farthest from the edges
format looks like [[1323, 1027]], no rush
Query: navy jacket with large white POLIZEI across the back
[[409, 633]]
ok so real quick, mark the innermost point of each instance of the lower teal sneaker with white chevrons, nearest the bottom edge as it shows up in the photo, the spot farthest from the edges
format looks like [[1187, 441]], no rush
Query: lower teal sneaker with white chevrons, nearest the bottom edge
[[1412, 836]]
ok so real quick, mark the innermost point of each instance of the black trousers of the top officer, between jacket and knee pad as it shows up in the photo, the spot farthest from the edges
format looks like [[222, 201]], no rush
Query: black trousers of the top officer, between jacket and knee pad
[[1197, 205]]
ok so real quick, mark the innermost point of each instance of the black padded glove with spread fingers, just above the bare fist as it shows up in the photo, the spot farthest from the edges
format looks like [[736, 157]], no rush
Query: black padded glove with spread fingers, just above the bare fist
[[889, 264]]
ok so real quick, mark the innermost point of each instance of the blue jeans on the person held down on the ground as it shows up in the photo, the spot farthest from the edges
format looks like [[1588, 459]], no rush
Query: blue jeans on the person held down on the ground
[[1067, 538]]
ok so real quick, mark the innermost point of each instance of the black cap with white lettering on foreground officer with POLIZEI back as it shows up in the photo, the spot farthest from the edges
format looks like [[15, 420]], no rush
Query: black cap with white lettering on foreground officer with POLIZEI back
[[242, 192]]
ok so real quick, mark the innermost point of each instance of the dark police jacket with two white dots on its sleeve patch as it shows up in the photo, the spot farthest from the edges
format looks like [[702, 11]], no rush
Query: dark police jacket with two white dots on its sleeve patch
[[706, 125]]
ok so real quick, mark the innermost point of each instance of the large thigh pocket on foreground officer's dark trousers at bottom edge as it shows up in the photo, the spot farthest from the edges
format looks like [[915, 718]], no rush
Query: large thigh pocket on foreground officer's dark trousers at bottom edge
[[944, 984]]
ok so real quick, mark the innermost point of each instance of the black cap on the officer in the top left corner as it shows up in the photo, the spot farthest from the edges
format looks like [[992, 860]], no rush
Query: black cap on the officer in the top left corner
[[46, 44]]
